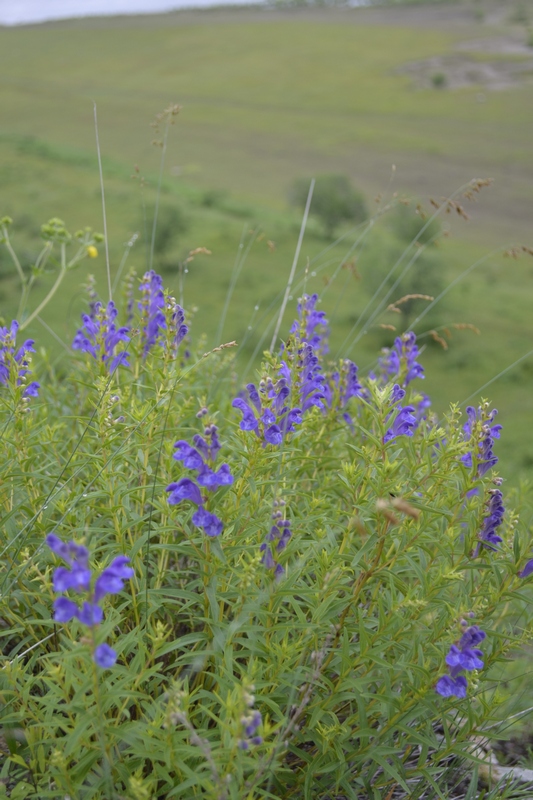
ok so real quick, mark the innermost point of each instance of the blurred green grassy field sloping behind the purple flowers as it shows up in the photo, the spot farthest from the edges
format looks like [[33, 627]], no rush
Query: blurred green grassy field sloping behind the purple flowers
[[267, 97]]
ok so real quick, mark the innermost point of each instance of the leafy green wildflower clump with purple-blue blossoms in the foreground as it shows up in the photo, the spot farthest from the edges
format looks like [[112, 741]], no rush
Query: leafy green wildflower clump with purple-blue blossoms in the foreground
[[311, 581]]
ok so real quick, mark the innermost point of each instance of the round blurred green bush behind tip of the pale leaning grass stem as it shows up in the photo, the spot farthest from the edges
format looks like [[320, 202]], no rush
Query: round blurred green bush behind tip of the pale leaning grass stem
[[334, 201]]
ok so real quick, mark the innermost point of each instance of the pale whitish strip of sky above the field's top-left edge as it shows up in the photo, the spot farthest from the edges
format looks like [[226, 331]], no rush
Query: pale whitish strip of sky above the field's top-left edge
[[13, 12]]
